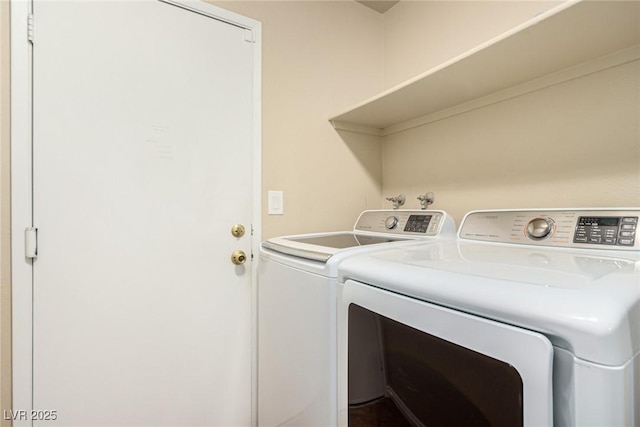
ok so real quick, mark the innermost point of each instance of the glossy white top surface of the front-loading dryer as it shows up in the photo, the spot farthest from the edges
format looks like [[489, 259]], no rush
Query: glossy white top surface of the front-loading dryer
[[585, 301]]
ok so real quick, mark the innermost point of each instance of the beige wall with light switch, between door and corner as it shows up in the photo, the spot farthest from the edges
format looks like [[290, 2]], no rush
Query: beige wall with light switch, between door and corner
[[319, 58]]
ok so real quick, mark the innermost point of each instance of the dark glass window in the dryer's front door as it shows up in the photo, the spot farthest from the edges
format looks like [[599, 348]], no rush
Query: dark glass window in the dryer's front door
[[437, 382]]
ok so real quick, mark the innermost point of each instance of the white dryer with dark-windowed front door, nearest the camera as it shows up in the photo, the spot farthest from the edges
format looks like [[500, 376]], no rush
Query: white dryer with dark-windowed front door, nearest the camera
[[530, 318]]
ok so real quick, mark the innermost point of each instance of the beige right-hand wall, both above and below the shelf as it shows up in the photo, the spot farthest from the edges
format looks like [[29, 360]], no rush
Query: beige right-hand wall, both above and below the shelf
[[572, 144]]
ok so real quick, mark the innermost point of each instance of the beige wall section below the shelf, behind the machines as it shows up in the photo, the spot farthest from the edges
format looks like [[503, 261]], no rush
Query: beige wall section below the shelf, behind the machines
[[576, 144]]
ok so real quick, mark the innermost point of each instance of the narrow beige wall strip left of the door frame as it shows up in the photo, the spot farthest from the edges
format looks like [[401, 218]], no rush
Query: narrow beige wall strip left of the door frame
[[5, 240]]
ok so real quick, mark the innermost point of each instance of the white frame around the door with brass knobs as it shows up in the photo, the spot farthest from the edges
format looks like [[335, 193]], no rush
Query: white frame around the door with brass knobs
[[22, 190]]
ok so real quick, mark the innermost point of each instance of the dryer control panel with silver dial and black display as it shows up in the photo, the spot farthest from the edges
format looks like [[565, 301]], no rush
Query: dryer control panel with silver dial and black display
[[585, 228]]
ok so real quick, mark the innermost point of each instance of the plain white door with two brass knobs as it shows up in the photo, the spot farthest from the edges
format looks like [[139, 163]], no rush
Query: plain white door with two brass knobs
[[143, 161]]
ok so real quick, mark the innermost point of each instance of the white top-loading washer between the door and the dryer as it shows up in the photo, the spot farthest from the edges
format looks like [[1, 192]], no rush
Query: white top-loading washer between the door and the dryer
[[297, 378]]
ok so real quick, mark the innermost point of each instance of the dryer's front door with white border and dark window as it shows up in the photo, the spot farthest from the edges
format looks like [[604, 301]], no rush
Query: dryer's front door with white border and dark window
[[444, 367]]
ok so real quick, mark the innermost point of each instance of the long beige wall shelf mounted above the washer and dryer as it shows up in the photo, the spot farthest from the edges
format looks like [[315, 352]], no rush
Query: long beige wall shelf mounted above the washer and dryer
[[571, 39]]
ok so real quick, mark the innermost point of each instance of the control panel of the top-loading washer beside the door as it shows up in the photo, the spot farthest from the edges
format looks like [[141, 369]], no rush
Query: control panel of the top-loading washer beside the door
[[429, 223]]
